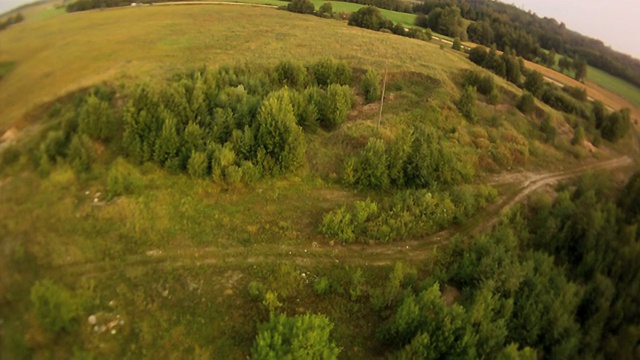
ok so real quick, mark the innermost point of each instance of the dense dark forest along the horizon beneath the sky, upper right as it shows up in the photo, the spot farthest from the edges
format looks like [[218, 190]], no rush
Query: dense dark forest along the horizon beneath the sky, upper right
[[494, 22]]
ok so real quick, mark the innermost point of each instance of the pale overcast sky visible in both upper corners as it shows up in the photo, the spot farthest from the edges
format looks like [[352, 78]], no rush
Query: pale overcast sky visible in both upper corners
[[613, 21]]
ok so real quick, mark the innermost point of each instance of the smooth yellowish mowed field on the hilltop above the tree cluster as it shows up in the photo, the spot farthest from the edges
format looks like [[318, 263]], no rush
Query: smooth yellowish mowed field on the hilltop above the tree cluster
[[59, 55]]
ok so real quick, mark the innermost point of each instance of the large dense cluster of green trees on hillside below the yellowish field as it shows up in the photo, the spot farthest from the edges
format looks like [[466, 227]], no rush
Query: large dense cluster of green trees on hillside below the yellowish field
[[234, 124]]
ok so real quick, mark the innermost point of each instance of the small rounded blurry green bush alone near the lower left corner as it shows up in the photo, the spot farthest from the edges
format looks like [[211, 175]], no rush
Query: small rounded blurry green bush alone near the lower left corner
[[54, 306]]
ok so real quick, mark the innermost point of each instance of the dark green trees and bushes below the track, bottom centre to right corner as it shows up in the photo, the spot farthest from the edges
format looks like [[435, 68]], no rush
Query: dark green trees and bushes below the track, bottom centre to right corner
[[556, 278]]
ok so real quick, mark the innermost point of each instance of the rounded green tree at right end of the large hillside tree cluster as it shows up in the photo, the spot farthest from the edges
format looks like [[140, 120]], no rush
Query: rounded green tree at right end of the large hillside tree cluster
[[335, 106]]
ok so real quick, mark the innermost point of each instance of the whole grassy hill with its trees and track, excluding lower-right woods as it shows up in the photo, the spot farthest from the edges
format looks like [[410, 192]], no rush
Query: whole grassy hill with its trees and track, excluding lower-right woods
[[143, 257]]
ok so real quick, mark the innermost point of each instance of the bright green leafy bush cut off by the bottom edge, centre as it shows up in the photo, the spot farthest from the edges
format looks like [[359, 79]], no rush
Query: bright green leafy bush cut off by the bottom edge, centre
[[299, 337]]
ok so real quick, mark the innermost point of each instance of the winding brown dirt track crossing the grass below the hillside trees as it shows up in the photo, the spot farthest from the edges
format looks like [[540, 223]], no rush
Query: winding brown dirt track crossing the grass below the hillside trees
[[520, 185]]
